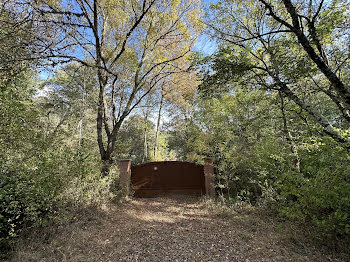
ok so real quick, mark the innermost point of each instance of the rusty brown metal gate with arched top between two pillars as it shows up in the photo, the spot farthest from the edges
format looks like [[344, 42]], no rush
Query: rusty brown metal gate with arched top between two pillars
[[168, 177]]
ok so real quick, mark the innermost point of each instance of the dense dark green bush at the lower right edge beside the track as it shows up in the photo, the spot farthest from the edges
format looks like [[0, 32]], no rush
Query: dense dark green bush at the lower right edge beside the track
[[321, 194]]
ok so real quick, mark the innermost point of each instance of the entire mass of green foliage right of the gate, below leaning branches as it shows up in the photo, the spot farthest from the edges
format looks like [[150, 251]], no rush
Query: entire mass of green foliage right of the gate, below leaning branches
[[243, 132]]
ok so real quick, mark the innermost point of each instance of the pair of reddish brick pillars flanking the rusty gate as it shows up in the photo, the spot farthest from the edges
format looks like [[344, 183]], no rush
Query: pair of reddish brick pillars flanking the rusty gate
[[125, 176]]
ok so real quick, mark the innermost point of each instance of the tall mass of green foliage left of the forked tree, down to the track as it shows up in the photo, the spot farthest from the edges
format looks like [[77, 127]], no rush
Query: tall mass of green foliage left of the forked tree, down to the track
[[44, 169]]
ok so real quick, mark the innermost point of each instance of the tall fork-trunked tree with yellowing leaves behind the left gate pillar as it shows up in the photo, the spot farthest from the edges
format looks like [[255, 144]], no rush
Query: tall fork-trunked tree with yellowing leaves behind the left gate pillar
[[133, 45]]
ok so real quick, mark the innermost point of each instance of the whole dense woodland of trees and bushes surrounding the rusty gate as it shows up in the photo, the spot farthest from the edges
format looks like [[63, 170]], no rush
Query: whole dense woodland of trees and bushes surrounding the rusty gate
[[85, 83]]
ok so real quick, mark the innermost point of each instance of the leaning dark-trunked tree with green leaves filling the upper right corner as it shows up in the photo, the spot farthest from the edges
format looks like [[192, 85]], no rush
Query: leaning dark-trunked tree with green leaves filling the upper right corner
[[273, 52]]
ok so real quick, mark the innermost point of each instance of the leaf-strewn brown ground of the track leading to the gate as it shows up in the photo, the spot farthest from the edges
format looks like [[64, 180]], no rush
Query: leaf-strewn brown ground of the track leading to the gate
[[169, 229]]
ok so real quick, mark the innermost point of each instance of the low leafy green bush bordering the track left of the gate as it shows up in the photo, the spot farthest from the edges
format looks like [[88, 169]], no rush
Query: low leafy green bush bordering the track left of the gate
[[61, 181]]
